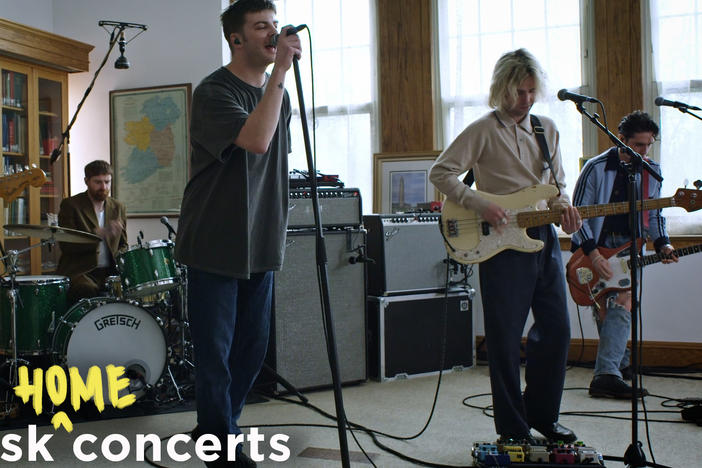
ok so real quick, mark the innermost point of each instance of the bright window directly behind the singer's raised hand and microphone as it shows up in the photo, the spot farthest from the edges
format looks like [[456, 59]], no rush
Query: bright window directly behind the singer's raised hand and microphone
[[343, 50]]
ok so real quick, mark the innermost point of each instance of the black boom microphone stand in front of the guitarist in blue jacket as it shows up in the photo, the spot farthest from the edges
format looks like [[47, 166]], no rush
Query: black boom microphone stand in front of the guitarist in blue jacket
[[634, 456]]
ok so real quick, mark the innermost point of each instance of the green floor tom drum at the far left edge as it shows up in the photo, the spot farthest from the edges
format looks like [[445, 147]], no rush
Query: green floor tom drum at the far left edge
[[41, 300]]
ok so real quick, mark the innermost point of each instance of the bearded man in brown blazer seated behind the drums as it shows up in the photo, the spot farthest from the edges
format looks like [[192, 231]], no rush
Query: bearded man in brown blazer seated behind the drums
[[93, 211]]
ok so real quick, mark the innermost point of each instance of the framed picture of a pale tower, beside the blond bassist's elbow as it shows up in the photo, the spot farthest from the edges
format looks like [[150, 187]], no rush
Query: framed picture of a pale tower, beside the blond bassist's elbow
[[401, 181]]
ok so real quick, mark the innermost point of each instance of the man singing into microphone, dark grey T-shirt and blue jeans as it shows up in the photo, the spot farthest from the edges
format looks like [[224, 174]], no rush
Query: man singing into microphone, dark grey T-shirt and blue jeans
[[231, 231]]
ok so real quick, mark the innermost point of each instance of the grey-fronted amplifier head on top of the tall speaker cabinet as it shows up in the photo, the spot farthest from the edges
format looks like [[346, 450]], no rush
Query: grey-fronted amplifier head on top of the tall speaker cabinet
[[338, 207]]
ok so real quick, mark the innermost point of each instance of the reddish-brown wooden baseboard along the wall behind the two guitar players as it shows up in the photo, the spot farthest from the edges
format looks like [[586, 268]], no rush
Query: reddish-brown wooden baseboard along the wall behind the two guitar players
[[653, 353]]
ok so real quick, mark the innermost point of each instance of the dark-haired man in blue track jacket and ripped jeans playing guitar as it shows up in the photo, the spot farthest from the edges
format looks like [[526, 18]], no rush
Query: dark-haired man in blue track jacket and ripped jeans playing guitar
[[603, 180]]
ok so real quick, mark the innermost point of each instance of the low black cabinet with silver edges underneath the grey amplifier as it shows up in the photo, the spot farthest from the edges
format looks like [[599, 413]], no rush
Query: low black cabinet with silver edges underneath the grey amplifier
[[406, 334]]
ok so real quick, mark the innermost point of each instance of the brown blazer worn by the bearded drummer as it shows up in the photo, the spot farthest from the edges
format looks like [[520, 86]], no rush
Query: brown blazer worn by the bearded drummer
[[77, 212]]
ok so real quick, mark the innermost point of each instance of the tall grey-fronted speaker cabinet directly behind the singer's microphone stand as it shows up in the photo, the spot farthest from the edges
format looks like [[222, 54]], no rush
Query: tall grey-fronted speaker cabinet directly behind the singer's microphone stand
[[298, 344]]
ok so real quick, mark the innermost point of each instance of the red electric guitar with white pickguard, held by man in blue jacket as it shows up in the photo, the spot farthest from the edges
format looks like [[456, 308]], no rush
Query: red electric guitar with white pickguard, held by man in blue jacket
[[586, 286]]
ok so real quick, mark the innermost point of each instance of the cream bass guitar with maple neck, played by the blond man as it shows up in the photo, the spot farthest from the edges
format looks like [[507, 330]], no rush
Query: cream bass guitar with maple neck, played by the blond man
[[470, 239]]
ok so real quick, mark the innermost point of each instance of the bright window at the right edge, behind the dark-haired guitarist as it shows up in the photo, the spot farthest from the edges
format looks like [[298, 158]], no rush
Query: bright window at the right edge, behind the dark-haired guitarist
[[675, 72]]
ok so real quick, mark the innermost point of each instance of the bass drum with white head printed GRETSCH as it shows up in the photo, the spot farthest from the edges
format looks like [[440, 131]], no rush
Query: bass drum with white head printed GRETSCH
[[101, 331]]
